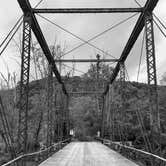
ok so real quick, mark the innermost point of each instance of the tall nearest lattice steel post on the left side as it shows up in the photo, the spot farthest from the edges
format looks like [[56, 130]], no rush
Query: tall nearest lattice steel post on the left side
[[24, 84]]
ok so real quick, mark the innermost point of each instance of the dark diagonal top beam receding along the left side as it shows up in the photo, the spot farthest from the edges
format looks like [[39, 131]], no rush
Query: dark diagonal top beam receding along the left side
[[26, 8]]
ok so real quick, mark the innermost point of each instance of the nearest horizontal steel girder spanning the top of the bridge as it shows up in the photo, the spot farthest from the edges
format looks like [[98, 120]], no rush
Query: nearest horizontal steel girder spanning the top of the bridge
[[89, 10]]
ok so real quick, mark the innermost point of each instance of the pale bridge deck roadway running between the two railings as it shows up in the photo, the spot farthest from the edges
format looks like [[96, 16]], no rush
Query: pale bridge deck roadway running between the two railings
[[87, 154]]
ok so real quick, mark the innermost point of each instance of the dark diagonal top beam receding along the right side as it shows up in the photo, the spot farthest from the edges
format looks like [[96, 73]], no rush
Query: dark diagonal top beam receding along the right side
[[148, 8]]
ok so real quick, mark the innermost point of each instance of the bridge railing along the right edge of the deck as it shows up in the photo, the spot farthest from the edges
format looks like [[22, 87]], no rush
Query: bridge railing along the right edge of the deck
[[146, 158]]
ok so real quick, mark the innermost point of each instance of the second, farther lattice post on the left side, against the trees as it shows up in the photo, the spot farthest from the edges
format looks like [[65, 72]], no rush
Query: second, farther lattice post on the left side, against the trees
[[49, 106]]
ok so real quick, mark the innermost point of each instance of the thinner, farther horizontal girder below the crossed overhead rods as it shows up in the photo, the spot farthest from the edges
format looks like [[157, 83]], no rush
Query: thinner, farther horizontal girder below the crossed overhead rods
[[85, 60]]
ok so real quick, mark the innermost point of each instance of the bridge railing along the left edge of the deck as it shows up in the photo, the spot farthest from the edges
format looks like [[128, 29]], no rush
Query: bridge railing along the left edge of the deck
[[35, 158]]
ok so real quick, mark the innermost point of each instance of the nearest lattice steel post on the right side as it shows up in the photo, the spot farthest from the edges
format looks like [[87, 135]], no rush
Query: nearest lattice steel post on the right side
[[152, 77]]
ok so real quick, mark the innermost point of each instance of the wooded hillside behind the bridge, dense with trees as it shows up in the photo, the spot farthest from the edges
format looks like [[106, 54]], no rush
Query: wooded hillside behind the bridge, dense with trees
[[85, 117]]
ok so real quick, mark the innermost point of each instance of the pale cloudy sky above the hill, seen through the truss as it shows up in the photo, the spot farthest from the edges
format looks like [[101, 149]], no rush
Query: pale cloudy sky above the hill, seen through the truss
[[85, 26]]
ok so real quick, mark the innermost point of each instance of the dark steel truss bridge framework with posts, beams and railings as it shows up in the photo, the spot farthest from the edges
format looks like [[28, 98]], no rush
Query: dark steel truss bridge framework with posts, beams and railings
[[30, 24]]
